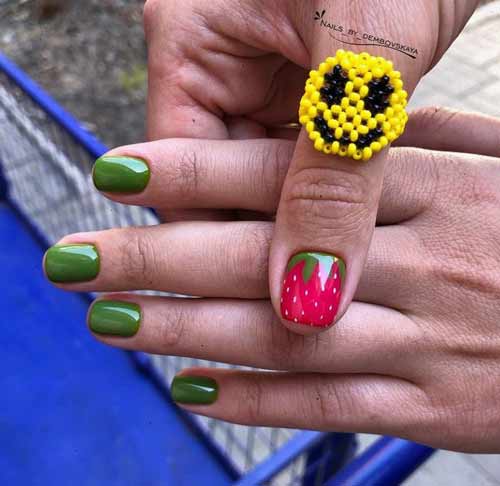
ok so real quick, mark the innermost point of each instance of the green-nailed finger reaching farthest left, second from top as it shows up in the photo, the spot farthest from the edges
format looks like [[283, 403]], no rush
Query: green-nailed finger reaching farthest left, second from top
[[207, 259]]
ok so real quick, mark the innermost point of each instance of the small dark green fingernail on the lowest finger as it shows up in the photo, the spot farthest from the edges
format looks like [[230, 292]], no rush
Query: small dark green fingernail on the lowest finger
[[195, 390]]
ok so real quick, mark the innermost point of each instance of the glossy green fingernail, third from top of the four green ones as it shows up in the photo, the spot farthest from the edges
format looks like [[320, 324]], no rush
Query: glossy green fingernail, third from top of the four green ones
[[115, 317]]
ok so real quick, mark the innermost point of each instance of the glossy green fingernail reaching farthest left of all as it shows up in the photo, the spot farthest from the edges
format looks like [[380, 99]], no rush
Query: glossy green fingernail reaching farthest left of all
[[72, 263]]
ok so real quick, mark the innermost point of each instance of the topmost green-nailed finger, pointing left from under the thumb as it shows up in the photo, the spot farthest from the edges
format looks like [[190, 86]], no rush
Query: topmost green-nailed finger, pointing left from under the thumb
[[193, 174]]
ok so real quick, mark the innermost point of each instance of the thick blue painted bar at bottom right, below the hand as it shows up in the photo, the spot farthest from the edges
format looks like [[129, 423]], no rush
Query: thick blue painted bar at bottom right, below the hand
[[388, 462]]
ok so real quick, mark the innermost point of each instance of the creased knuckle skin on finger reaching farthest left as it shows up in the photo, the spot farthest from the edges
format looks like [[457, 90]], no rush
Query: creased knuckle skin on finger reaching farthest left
[[138, 259]]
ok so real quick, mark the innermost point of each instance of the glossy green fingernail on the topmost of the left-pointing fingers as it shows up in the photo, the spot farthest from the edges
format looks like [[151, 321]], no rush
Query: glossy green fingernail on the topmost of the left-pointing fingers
[[120, 174]]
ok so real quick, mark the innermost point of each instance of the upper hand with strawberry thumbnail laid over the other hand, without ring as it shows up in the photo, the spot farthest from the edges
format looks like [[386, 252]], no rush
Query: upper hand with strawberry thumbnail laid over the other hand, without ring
[[220, 70]]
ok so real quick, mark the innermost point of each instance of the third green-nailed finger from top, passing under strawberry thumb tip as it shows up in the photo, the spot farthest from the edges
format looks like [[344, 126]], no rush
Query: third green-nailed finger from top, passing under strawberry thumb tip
[[370, 339]]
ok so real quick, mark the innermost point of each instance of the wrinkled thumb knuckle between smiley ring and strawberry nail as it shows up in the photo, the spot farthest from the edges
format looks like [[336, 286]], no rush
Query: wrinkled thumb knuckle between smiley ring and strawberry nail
[[329, 199]]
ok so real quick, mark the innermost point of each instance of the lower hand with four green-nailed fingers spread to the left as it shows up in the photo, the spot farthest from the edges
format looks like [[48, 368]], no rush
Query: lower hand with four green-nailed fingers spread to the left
[[417, 354]]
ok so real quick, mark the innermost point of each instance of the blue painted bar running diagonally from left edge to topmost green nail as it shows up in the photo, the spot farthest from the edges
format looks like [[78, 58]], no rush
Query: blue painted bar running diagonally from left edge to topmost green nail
[[52, 108]]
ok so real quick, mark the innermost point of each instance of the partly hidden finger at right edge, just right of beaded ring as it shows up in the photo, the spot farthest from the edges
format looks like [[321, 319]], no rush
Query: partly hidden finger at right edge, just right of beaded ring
[[446, 129]]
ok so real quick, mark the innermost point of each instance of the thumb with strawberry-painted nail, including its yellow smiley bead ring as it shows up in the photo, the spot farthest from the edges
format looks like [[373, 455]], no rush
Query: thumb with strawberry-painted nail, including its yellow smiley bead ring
[[352, 109]]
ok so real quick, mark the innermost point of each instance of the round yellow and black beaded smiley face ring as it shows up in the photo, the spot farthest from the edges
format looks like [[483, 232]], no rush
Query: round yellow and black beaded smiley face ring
[[353, 105]]
